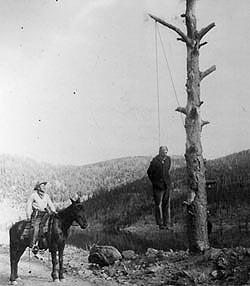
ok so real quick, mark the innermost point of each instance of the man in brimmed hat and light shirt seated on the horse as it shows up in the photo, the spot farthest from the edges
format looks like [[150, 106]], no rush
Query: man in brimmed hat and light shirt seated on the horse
[[38, 205]]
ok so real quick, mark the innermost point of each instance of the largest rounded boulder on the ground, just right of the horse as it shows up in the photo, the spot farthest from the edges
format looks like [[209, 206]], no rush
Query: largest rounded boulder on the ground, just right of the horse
[[104, 255]]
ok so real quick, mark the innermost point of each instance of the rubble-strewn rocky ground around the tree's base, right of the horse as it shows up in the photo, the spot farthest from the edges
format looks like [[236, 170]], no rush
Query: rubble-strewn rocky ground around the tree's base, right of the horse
[[156, 267]]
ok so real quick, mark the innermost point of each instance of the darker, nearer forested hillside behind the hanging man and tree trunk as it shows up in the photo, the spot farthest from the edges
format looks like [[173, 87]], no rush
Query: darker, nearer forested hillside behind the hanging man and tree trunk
[[124, 205]]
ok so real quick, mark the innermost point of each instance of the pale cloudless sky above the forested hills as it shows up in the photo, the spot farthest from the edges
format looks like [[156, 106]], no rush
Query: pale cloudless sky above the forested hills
[[78, 79]]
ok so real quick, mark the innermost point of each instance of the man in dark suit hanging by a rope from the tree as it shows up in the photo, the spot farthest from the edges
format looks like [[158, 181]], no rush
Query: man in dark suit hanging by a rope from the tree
[[158, 173]]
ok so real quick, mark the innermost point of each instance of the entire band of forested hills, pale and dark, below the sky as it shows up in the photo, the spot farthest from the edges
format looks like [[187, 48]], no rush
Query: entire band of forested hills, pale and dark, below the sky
[[119, 191]]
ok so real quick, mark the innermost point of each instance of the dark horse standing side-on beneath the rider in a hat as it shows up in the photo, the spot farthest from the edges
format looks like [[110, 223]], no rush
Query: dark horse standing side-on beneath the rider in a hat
[[56, 236]]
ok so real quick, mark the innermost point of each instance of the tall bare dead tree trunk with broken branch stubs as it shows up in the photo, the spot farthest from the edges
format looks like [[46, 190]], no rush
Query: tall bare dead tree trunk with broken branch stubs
[[197, 203]]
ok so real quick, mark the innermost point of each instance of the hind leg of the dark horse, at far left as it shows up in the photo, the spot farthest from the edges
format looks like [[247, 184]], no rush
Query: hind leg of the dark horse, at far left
[[16, 251]]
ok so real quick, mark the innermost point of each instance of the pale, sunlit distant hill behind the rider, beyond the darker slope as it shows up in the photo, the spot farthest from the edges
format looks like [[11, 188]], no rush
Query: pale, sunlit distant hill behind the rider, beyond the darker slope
[[18, 176]]
